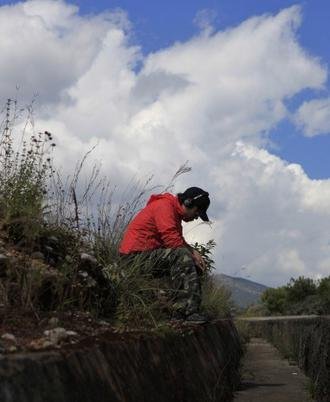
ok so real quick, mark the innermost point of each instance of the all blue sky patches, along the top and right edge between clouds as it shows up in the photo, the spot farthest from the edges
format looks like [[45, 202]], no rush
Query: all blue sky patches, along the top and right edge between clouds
[[159, 24]]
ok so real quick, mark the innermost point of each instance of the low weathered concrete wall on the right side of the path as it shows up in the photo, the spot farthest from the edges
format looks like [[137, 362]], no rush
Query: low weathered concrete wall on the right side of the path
[[305, 339]]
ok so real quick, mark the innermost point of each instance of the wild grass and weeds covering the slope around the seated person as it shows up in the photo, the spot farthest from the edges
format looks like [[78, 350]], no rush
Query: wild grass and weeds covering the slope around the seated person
[[59, 241]]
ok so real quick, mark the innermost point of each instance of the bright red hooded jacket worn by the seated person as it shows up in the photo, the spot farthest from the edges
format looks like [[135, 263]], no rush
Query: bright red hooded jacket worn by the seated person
[[157, 225]]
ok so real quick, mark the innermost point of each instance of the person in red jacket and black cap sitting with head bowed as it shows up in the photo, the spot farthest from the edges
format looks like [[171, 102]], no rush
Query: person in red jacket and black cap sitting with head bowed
[[155, 234]]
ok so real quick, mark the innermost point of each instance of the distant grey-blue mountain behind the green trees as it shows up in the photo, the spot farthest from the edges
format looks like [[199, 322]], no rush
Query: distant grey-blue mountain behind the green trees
[[243, 291]]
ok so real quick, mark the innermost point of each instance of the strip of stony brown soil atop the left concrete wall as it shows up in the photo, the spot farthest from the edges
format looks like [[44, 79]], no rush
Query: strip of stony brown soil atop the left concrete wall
[[28, 329]]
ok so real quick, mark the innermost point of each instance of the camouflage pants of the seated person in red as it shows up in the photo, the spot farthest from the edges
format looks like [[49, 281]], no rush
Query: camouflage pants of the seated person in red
[[177, 265]]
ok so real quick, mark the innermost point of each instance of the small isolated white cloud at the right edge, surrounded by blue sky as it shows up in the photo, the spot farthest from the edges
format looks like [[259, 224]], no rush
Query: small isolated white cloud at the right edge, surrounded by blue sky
[[313, 117]]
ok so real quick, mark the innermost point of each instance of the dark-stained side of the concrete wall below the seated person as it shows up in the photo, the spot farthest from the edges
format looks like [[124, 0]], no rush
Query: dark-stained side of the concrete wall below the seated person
[[199, 364]]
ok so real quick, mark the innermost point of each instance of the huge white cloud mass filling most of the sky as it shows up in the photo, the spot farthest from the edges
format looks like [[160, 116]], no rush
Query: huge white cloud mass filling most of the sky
[[211, 100]]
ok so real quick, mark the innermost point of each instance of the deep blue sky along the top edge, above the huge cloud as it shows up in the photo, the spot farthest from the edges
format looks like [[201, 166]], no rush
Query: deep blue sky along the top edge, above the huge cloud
[[160, 23]]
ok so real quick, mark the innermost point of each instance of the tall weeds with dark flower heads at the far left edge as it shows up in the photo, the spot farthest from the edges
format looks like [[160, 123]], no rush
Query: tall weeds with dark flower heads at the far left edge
[[23, 179]]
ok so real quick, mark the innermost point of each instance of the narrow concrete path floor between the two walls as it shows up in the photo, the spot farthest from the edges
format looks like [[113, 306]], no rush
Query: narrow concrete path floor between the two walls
[[267, 377]]
